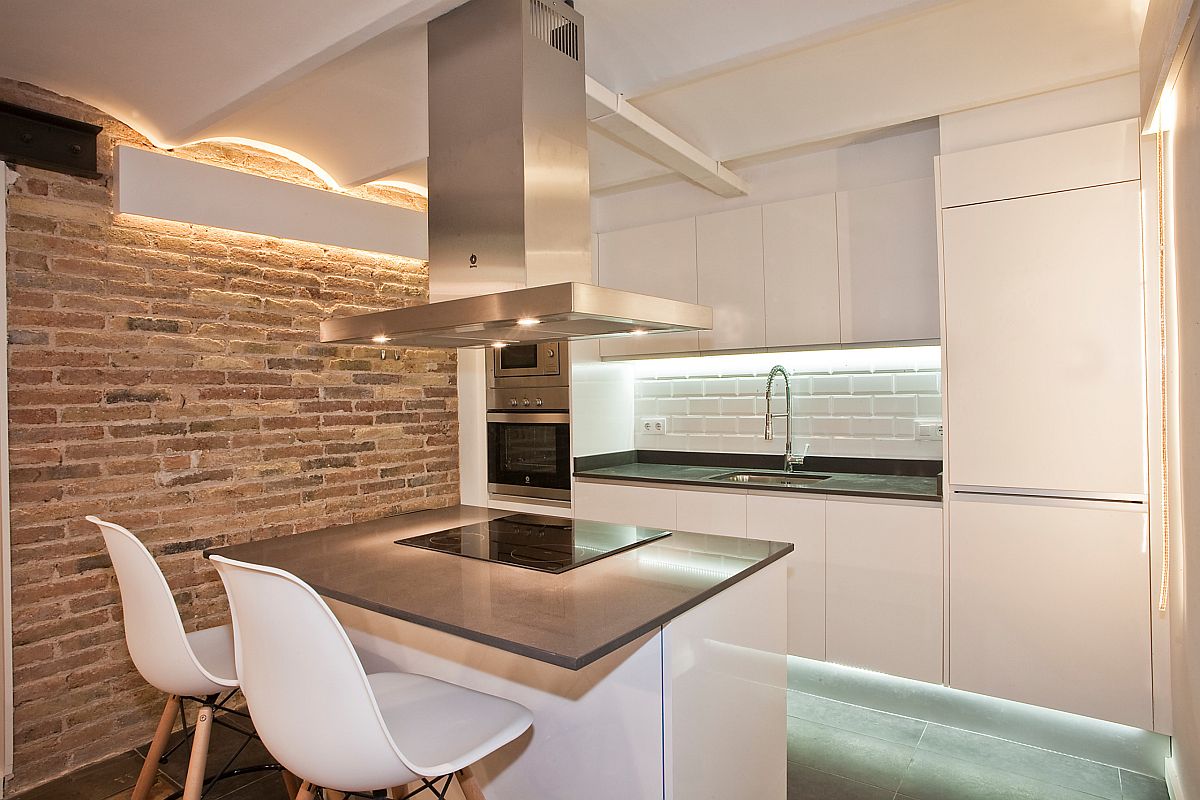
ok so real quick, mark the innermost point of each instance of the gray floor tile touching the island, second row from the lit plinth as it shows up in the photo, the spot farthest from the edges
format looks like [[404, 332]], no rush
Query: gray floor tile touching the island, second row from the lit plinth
[[848, 755]]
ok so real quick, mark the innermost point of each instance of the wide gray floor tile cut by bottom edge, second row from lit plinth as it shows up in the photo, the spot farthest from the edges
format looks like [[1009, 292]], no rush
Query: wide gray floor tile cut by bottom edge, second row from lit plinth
[[934, 777]]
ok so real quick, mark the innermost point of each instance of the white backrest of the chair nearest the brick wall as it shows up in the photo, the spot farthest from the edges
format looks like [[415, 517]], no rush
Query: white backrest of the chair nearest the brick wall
[[154, 633]]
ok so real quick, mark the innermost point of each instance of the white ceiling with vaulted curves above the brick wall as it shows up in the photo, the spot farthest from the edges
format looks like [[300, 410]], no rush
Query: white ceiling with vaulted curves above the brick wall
[[345, 86]]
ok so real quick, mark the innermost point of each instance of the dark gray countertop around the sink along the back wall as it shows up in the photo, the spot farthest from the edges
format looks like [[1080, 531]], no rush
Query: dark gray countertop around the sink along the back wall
[[898, 488]]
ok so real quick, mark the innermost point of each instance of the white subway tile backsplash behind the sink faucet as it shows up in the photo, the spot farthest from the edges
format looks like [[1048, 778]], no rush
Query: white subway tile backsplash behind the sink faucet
[[844, 402]]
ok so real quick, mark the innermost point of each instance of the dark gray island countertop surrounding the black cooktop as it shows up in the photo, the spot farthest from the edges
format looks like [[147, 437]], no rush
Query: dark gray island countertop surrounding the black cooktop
[[569, 619]]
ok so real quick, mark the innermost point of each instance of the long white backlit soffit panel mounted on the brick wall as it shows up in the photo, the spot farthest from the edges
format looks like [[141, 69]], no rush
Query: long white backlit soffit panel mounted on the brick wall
[[167, 188]]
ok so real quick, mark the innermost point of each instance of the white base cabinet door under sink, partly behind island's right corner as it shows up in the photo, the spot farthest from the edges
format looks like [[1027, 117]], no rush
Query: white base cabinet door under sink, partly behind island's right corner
[[800, 521]]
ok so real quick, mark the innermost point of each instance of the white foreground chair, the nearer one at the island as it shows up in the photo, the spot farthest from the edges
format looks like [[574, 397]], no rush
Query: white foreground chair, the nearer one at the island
[[334, 726]]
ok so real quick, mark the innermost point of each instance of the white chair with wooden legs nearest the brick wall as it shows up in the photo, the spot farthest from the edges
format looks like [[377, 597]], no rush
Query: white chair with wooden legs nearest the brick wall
[[196, 666]]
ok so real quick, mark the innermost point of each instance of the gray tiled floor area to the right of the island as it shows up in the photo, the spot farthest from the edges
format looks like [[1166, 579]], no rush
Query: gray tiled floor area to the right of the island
[[838, 751]]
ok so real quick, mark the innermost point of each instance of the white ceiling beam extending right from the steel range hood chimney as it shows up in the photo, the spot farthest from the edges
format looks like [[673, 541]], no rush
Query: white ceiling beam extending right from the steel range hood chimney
[[613, 115]]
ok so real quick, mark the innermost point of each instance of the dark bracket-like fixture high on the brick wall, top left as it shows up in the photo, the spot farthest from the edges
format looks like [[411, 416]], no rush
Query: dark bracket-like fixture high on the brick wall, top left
[[47, 141]]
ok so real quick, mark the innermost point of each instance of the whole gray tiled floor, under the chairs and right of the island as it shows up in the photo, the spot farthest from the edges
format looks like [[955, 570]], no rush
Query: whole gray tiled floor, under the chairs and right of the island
[[836, 753]]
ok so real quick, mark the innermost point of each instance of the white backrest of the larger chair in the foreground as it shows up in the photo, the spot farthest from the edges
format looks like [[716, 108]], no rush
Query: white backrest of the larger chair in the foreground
[[305, 687]]
